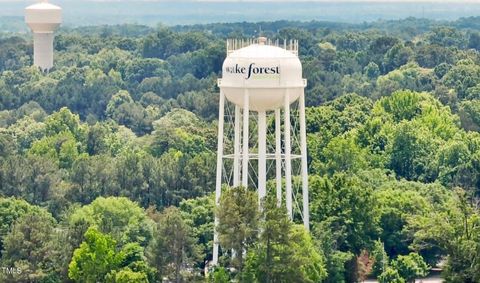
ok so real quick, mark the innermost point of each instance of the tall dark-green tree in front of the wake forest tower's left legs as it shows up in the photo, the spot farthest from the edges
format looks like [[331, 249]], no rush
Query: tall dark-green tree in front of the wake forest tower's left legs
[[238, 216]]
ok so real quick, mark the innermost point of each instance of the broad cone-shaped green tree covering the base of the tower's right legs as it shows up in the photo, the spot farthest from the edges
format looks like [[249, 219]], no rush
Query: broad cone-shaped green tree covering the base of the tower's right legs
[[285, 252]]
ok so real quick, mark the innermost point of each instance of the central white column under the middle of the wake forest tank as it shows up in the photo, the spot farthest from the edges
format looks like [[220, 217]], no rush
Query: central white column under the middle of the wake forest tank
[[262, 155]]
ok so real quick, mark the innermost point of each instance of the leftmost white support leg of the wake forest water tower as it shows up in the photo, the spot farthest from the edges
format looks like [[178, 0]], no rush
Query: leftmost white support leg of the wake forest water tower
[[218, 185]]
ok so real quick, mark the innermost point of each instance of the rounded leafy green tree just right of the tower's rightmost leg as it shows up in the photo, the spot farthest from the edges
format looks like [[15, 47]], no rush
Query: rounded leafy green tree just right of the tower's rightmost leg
[[346, 206]]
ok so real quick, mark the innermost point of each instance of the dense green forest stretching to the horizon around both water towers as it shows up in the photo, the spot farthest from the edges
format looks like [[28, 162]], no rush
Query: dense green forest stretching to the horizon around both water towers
[[107, 162]]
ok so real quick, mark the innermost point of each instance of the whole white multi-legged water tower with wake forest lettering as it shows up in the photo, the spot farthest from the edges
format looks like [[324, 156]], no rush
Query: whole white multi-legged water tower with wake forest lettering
[[260, 79]]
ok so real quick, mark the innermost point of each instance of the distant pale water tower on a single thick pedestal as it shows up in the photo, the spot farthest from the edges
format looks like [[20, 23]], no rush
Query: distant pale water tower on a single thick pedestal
[[43, 18]]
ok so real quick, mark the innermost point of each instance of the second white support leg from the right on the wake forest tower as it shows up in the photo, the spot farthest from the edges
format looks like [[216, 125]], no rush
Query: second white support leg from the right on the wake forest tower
[[288, 157]]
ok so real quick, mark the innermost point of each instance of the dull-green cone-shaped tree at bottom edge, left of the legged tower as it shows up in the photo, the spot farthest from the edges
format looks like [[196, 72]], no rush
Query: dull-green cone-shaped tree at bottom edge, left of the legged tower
[[173, 248]]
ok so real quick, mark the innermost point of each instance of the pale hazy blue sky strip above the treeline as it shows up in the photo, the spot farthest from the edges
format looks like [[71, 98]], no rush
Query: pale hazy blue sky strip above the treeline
[[175, 12]]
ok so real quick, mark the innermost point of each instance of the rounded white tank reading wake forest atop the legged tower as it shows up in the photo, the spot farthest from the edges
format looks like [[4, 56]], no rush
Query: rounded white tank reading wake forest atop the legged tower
[[267, 71]]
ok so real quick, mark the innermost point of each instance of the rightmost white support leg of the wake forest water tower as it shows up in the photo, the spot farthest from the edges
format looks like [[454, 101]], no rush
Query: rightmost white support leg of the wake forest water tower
[[303, 145]]
